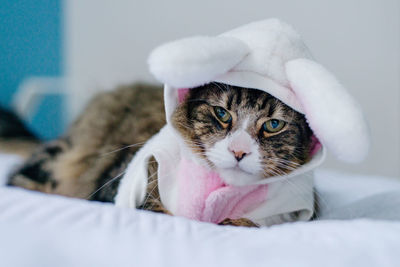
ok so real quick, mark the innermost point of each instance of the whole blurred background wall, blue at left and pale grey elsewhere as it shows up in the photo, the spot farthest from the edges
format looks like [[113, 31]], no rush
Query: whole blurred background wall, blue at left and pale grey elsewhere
[[54, 55]]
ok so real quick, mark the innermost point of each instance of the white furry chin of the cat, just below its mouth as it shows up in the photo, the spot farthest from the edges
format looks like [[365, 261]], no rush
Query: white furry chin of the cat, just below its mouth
[[238, 177]]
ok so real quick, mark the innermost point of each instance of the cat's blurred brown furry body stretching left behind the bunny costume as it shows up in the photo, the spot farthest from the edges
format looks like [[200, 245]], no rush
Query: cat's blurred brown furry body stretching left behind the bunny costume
[[98, 145]]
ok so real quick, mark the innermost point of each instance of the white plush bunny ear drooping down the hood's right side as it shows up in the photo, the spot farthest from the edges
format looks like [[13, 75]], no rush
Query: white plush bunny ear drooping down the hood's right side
[[331, 112]]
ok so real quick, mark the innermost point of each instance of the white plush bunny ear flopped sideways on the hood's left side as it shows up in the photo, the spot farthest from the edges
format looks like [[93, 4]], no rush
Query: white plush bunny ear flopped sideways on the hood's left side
[[195, 61]]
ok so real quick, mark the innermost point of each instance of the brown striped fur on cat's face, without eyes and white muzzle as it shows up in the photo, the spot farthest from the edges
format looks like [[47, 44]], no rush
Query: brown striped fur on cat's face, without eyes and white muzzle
[[282, 152]]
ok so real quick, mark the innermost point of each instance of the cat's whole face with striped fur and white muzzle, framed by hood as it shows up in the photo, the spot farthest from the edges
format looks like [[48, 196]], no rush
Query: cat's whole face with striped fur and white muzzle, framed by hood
[[245, 134]]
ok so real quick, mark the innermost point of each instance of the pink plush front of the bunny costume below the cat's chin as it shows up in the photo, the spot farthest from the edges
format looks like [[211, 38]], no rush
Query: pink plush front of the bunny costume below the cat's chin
[[205, 197]]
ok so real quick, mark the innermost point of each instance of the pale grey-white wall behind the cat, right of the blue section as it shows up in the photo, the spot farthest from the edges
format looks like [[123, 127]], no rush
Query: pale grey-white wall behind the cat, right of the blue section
[[107, 43]]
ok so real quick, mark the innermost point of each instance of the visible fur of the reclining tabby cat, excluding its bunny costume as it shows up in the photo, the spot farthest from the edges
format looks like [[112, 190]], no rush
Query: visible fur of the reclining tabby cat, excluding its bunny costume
[[89, 160]]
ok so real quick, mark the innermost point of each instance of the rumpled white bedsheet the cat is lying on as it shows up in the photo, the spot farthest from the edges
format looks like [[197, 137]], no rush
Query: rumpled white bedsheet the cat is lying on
[[44, 230]]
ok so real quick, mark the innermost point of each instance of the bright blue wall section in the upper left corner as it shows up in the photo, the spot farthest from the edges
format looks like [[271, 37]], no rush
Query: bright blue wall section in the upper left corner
[[30, 45]]
